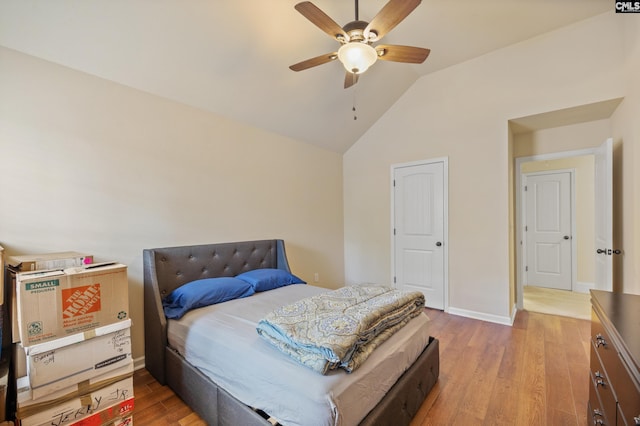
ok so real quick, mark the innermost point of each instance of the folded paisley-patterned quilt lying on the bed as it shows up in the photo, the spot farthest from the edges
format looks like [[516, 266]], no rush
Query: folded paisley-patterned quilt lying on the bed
[[340, 328]]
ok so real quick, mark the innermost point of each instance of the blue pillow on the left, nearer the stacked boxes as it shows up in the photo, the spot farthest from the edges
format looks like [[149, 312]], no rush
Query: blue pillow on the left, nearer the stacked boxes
[[205, 292]]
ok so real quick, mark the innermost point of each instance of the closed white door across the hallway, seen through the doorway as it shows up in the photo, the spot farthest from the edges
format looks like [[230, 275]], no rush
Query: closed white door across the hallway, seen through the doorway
[[548, 230]]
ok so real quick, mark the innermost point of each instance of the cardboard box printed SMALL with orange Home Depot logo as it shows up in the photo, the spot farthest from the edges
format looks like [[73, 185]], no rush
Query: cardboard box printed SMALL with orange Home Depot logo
[[55, 304]]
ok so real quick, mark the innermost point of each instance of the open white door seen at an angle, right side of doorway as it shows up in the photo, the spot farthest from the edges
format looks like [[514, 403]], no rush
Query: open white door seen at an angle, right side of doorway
[[604, 216]]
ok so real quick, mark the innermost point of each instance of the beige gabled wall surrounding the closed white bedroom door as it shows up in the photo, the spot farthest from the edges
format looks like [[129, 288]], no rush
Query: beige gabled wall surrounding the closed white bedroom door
[[462, 112]]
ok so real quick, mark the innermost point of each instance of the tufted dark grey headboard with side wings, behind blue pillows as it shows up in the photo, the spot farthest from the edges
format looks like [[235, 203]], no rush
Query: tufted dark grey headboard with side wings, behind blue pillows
[[166, 269]]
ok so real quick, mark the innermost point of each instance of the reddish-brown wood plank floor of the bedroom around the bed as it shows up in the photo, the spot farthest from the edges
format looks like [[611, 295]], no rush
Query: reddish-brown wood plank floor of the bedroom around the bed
[[534, 373]]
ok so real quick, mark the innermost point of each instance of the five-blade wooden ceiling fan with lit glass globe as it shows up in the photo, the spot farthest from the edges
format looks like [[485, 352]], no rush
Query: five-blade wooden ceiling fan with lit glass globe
[[357, 52]]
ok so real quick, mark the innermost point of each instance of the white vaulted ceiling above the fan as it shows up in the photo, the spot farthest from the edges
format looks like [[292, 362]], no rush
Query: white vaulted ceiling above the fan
[[231, 57]]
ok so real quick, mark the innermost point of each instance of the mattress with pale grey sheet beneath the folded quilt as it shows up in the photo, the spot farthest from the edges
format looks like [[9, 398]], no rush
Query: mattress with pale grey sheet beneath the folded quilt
[[222, 342]]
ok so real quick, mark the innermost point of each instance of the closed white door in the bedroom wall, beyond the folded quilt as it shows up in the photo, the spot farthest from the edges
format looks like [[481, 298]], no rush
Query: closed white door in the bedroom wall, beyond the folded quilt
[[419, 230]]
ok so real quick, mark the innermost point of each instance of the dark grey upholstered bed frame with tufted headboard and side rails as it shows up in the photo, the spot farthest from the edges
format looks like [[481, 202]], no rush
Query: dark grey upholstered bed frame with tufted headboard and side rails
[[166, 269]]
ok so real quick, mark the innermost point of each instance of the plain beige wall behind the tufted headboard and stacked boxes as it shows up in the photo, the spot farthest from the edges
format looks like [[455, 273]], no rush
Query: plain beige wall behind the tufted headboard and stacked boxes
[[92, 166]]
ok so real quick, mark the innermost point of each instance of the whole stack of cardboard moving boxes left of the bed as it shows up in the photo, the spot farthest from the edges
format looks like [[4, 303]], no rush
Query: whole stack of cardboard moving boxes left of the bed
[[72, 352]]
